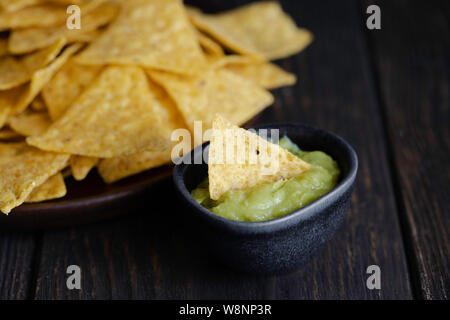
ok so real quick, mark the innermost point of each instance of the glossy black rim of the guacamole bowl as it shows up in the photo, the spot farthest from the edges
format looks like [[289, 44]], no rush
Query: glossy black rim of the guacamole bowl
[[285, 221]]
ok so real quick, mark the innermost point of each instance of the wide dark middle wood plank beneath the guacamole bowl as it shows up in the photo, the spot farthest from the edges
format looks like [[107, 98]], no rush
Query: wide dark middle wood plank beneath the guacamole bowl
[[157, 254]]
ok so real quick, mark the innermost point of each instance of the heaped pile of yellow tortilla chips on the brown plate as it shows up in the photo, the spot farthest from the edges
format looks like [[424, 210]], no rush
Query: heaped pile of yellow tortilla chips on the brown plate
[[109, 95]]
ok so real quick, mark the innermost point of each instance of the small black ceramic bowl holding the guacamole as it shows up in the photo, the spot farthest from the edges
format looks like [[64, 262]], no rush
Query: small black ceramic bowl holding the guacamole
[[282, 244]]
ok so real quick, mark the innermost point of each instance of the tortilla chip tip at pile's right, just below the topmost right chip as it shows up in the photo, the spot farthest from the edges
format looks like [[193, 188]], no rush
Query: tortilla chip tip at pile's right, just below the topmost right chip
[[265, 74]]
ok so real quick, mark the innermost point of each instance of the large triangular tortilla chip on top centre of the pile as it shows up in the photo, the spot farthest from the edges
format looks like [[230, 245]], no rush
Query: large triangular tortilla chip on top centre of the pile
[[154, 34]]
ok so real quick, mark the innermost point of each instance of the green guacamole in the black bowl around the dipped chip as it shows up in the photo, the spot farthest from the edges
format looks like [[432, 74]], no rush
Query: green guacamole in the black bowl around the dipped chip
[[272, 200]]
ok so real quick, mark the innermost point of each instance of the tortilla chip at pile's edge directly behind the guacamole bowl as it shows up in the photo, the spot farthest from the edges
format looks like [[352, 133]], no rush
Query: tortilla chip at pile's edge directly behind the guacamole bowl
[[219, 91]]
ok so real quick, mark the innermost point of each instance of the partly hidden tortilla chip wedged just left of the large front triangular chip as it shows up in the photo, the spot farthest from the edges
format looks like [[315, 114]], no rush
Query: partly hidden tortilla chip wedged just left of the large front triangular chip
[[67, 85]]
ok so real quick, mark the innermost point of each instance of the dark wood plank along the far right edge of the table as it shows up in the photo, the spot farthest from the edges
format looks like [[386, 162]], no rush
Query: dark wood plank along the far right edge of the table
[[411, 56]]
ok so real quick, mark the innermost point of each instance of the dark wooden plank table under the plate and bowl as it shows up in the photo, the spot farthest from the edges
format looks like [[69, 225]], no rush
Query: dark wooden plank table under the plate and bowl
[[386, 91]]
